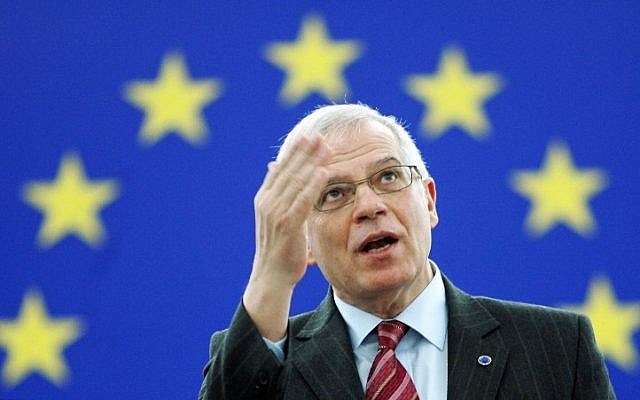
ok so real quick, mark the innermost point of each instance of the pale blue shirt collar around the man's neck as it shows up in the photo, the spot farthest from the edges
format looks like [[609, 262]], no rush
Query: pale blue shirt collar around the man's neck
[[430, 302]]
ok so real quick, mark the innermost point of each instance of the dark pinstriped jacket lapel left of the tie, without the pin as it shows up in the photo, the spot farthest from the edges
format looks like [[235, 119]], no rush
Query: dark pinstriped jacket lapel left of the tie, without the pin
[[323, 355]]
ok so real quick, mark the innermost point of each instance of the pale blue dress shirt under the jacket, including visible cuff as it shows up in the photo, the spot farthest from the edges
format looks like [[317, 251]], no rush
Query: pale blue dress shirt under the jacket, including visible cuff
[[422, 351]]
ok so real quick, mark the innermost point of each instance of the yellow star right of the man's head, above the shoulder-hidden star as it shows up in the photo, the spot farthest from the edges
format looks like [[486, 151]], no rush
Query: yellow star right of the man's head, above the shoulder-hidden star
[[559, 193]]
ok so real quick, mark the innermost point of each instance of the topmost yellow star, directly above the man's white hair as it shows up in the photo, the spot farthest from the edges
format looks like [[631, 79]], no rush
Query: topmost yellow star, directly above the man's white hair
[[313, 63]]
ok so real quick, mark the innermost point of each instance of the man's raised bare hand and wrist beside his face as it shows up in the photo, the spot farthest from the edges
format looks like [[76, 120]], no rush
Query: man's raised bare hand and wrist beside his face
[[282, 206]]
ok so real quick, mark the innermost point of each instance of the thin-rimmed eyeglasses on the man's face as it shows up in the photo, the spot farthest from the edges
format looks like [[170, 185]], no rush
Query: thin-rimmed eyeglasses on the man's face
[[387, 180]]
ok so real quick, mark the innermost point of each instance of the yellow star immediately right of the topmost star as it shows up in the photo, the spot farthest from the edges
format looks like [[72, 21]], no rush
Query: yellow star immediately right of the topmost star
[[454, 96]]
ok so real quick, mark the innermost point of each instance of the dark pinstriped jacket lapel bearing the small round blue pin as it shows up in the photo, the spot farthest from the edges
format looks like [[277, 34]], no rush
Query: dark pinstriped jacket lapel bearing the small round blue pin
[[473, 332]]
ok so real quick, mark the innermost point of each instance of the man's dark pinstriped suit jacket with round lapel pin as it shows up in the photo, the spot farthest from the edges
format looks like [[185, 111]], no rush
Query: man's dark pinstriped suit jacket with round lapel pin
[[537, 352]]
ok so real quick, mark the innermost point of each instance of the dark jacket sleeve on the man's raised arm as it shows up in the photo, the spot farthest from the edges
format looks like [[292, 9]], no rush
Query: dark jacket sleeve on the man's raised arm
[[241, 366]]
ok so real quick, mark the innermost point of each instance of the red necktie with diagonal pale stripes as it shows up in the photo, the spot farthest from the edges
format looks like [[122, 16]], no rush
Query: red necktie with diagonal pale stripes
[[388, 380]]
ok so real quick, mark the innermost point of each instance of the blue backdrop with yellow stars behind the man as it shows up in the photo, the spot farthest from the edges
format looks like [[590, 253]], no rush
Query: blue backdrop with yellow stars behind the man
[[135, 135]]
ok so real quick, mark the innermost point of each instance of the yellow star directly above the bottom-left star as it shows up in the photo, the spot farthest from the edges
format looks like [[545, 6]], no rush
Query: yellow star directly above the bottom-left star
[[70, 204]]
